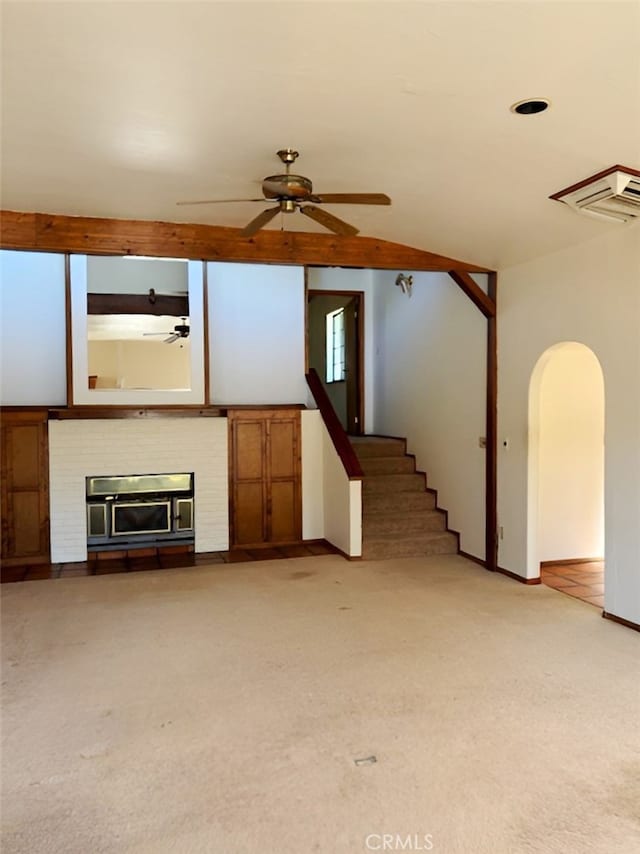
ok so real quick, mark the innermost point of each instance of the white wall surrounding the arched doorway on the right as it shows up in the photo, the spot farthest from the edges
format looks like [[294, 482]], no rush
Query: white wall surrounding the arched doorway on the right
[[588, 294]]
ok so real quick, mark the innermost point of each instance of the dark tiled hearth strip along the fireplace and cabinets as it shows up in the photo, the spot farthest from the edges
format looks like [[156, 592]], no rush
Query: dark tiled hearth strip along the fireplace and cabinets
[[161, 559]]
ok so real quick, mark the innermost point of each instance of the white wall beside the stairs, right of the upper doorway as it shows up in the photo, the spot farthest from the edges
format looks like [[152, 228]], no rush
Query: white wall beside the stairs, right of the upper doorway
[[430, 373]]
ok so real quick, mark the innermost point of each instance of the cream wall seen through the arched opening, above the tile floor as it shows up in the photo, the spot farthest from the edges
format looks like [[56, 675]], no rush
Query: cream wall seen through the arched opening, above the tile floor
[[570, 434]]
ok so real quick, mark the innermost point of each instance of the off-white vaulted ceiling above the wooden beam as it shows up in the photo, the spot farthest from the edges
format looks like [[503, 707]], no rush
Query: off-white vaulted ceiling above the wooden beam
[[120, 109]]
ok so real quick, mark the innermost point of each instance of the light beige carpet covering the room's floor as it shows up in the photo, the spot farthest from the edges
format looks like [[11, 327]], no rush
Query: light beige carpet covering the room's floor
[[219, 710]]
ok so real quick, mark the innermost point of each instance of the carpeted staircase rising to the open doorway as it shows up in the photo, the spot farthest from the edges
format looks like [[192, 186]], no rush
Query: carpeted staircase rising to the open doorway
[[399, 516]]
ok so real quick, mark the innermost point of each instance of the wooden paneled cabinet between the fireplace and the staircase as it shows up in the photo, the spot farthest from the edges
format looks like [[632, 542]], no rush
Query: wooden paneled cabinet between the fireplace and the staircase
[[264, 478]]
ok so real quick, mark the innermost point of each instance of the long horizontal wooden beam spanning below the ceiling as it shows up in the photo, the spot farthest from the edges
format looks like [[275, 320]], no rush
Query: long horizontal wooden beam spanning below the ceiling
[[91, 235]]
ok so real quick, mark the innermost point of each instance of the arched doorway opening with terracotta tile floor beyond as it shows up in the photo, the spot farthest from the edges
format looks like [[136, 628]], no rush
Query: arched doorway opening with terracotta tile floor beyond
[[566, 471]]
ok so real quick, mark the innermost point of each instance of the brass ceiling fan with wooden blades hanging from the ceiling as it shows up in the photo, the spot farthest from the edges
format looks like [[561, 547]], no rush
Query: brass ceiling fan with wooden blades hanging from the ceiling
[[295, 192]]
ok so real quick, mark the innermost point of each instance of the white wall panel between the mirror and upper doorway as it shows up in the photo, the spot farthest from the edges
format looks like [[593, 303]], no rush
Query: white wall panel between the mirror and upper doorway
[[256, 334]]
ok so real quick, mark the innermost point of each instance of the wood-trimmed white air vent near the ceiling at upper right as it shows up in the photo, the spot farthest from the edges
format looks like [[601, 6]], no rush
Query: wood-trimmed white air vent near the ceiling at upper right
[[612, 194]]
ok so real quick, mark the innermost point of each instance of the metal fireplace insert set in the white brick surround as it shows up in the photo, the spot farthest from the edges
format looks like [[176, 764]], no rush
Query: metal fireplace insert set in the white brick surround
[[135, 511]]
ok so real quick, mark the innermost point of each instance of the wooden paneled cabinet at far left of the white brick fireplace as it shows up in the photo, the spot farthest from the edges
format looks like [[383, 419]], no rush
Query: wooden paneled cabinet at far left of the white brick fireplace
[[25, 487]]
